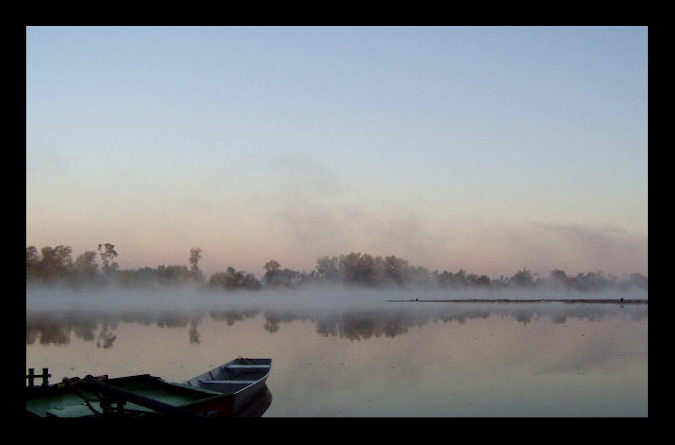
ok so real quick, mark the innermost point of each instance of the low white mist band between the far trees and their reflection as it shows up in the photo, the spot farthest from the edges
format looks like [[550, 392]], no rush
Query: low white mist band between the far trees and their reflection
[[318, 299]]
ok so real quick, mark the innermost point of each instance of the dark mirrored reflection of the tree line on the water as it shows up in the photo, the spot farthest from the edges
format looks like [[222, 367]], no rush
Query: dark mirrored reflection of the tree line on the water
[[56, 328]]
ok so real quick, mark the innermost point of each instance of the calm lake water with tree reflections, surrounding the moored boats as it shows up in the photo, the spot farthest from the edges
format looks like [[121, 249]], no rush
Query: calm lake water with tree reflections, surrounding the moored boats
[[375, 359]]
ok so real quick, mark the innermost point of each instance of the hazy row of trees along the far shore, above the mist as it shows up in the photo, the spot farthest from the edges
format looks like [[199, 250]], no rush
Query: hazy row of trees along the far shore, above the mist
[[52, 265]]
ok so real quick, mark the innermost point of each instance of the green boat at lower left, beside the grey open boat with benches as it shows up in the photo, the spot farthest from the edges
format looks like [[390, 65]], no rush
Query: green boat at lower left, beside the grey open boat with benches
[[133, 396]]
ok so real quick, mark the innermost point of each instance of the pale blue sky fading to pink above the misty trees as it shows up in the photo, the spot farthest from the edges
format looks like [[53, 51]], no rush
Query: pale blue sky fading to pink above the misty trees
[[483, 148]]
